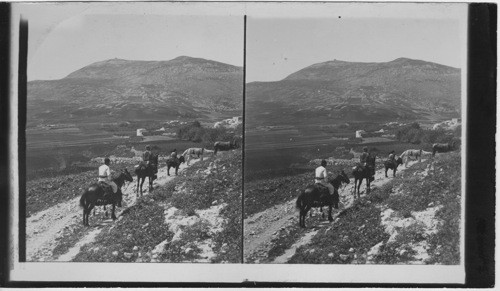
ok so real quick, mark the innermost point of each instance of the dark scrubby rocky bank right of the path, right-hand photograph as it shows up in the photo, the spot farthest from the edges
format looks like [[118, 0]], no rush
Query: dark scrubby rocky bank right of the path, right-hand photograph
[[385, 227]]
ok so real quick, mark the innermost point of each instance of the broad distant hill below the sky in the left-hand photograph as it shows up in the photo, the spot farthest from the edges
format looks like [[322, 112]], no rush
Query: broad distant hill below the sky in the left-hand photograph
[[124, 89]]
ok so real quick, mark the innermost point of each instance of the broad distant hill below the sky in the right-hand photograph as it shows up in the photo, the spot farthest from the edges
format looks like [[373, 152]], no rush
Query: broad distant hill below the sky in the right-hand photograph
[[349, 91]]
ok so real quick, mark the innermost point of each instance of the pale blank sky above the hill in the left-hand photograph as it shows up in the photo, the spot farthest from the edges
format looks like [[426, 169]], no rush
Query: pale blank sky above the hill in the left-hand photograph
[[65, 38]]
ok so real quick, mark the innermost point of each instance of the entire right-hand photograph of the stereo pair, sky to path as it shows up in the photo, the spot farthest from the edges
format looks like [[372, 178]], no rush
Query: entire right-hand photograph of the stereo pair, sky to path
[[353, 140]]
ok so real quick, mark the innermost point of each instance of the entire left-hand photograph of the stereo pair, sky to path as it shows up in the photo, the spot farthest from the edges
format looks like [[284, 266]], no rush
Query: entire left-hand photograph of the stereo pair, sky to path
[[133, 135]]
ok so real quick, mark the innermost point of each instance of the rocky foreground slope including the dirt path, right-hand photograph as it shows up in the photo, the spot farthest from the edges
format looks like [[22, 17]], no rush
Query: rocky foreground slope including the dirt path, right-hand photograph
[[411, 219]]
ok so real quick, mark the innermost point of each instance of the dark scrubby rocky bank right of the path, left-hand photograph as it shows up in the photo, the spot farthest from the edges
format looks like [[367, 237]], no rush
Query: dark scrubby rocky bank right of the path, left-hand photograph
[[144, 234]]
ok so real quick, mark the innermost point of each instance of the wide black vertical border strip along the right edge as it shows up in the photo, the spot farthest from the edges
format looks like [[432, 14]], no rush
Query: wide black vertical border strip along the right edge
[[481, 126]]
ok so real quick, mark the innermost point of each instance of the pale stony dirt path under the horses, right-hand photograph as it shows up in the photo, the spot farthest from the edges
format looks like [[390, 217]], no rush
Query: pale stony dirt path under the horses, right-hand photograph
[[260, 228]]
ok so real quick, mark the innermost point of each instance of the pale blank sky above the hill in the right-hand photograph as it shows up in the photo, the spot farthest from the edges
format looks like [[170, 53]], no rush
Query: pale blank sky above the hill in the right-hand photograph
[[277, 47]]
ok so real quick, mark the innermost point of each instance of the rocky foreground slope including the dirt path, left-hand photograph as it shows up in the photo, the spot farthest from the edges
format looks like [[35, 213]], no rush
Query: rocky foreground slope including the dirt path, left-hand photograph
[[193, 217]]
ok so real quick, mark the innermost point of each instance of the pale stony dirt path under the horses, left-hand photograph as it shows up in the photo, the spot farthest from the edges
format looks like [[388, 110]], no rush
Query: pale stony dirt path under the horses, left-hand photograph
[[45, 227]]
